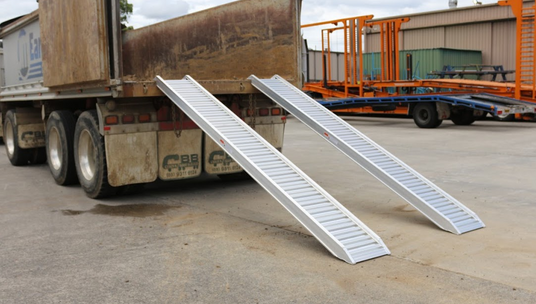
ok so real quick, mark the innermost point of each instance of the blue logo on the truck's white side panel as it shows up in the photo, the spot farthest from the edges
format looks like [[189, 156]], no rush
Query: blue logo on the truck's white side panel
[[29, 56]]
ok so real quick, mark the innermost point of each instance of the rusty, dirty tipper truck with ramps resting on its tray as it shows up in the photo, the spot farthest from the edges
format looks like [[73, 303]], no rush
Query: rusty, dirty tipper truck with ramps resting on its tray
[[80, 93]]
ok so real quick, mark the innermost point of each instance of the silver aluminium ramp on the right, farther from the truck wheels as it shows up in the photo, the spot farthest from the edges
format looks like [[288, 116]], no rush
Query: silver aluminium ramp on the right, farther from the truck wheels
[[434, 203]]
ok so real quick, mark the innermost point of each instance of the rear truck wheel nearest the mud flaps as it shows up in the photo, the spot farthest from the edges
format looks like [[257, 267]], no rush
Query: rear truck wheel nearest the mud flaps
[[90, 157]]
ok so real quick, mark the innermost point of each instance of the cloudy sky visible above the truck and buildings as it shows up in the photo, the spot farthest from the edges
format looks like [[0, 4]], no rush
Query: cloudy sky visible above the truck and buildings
[[147, 12]]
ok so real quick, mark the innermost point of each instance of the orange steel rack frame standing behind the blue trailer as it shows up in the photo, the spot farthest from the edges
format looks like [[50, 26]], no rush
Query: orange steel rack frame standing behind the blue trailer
[[388, 82]]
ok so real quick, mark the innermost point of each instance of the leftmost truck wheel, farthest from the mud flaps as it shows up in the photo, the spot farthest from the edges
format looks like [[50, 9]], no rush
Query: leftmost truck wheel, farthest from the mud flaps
[[16, 155]]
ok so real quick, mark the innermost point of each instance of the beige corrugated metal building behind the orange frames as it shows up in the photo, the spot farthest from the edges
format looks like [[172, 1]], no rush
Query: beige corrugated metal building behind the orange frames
[[487, 28]]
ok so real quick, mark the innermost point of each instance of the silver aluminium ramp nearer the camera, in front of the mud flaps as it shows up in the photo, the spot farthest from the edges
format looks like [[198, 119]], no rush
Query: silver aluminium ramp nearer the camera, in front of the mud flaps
[[332, 224]]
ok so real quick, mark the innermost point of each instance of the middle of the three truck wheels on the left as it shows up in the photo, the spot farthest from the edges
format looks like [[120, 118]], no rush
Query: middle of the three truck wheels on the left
[[60, 146]]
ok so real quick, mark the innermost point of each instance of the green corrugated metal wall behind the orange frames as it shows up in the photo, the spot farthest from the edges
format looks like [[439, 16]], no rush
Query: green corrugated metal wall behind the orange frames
[[425, 61]]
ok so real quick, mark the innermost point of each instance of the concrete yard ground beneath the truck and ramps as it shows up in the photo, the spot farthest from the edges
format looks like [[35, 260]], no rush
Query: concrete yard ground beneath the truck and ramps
[[210, 241]]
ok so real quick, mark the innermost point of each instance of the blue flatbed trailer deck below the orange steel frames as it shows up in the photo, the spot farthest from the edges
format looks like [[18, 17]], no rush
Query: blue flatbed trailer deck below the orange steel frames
[[496, 105]]
